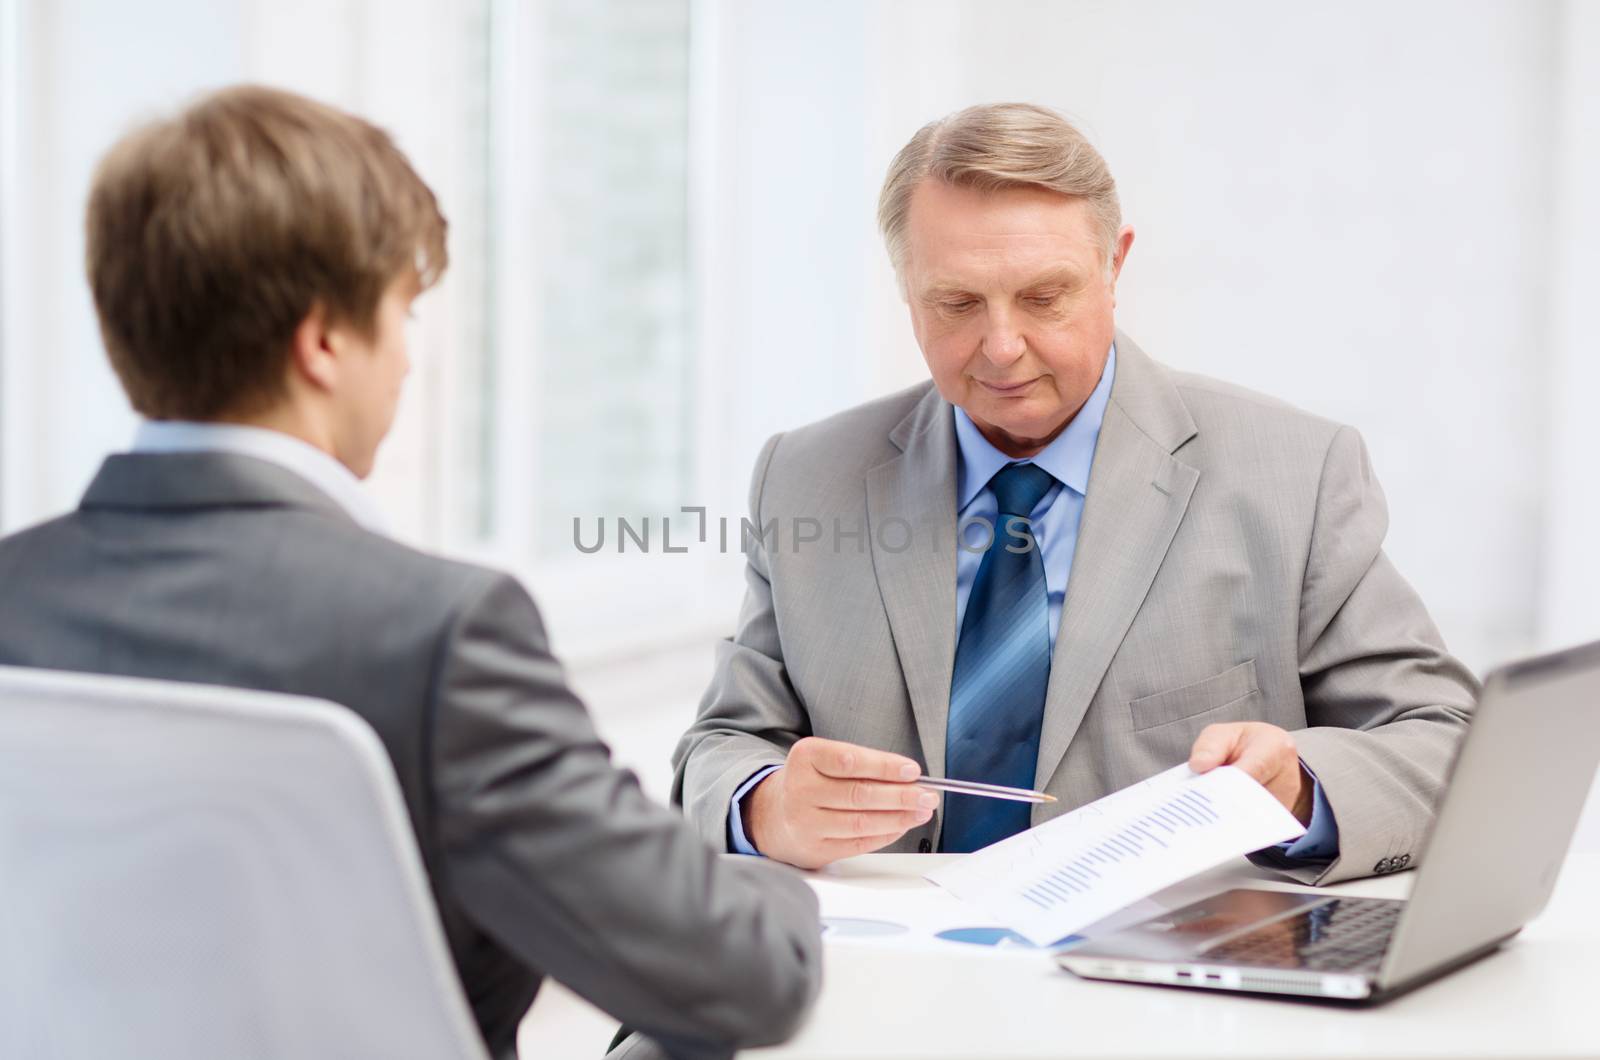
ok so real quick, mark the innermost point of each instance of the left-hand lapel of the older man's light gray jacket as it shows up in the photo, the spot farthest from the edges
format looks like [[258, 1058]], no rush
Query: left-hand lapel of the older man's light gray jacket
[[911, 515]]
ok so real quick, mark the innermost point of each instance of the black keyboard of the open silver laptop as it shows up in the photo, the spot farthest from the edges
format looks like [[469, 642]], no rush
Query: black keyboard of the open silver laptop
[[1342, 936]]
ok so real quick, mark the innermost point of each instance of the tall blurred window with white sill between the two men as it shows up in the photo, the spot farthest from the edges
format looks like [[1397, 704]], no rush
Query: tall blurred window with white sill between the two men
[[590, 395]]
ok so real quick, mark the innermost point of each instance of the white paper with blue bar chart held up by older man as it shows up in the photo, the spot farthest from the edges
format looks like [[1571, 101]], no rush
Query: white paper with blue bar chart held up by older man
[[1060, 878]]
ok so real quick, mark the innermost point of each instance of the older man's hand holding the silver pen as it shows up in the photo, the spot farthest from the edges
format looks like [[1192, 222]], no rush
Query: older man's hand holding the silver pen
[[834, 800]]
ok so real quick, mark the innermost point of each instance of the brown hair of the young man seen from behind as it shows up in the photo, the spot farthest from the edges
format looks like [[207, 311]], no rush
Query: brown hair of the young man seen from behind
[[215, 233]]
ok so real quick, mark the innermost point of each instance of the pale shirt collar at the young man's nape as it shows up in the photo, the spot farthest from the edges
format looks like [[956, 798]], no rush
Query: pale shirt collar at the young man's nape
[[302, 459]]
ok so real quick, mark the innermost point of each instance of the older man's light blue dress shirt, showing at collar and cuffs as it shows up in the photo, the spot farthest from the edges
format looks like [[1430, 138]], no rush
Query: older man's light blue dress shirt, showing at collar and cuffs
[[1055, 523]]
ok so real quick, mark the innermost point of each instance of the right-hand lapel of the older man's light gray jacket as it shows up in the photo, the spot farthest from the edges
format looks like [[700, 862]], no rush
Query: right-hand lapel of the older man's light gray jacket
[[1137, 499]]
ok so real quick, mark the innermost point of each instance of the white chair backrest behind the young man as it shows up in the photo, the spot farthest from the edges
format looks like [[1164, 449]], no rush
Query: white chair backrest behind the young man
[[194, 872]]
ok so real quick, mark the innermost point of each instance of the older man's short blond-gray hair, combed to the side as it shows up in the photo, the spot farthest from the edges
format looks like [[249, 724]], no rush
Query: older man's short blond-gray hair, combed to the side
[[994, 147]]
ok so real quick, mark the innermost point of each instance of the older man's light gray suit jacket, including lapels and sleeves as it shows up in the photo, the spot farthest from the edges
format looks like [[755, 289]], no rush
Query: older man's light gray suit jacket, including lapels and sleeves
[[1230, 568]]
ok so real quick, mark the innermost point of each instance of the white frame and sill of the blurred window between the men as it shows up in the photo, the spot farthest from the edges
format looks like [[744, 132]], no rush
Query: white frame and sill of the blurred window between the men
[[604, 606]]
